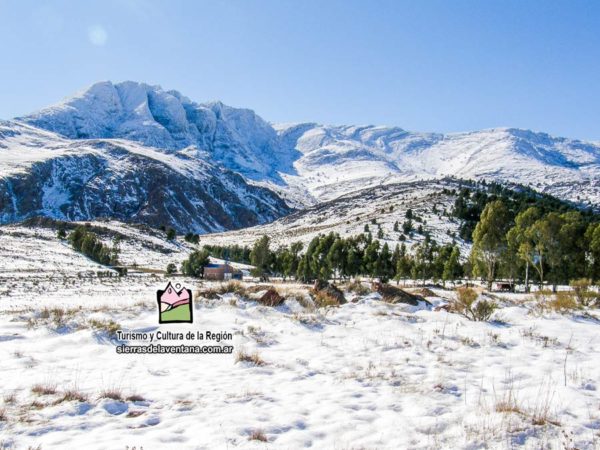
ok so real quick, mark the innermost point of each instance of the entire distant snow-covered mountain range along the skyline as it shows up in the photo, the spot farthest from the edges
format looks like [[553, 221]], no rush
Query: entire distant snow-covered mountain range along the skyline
[[308, 162]]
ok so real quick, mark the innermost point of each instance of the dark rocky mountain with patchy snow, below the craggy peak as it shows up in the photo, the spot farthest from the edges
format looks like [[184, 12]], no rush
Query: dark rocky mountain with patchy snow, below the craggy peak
[[42, 173]]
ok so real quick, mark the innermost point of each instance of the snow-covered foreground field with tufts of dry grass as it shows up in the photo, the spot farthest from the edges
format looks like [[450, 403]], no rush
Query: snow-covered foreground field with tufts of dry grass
[[366, 375]]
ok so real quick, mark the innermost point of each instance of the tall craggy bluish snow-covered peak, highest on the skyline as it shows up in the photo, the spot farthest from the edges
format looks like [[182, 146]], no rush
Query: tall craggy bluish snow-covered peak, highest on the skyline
[[166, 120]]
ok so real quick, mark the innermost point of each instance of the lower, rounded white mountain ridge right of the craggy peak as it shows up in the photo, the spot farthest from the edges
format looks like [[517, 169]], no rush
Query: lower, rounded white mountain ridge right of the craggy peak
[[338, 160]]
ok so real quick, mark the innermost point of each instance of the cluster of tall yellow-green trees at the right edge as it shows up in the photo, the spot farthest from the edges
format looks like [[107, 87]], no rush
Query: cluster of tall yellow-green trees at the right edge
[[553, 247]]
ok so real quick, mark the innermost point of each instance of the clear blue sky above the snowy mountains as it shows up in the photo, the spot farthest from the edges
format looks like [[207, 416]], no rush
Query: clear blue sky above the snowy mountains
[[448, 65]]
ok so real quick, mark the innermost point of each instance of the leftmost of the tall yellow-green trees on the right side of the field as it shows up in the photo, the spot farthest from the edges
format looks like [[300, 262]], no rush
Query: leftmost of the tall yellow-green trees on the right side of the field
[[489, 238]]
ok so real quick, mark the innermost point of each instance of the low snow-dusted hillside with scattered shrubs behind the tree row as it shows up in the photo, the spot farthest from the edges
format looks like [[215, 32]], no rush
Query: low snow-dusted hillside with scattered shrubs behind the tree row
[[349, 214]]
